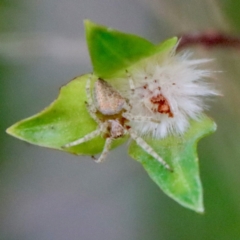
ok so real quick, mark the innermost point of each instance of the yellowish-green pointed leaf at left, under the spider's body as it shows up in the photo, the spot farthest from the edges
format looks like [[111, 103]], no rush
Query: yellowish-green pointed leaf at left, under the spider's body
[[64, 121]]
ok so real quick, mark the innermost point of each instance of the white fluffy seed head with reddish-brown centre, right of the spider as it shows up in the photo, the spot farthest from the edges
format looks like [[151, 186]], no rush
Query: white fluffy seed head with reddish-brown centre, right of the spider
[[169, 88]]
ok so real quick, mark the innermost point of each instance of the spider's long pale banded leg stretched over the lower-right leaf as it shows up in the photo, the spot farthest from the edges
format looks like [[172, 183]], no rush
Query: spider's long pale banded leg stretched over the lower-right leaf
[[148, 148]]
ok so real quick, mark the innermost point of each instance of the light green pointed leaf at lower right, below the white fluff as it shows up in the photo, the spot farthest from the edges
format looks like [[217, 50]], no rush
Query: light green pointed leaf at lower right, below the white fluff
[[183, 184]]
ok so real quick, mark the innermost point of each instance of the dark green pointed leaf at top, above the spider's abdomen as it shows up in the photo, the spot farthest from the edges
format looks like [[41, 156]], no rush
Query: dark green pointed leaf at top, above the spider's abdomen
[[112, 51]]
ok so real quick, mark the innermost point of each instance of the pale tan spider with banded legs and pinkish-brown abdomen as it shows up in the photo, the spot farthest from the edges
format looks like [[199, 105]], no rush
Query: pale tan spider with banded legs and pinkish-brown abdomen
[[109, 103]]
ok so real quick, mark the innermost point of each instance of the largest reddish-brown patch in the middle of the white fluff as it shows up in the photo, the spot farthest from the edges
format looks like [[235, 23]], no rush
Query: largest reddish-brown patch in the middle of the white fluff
[[162, 105]]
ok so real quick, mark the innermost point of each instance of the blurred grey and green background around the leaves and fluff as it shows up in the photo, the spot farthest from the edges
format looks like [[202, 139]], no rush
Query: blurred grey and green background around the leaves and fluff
[[45, 194]]
